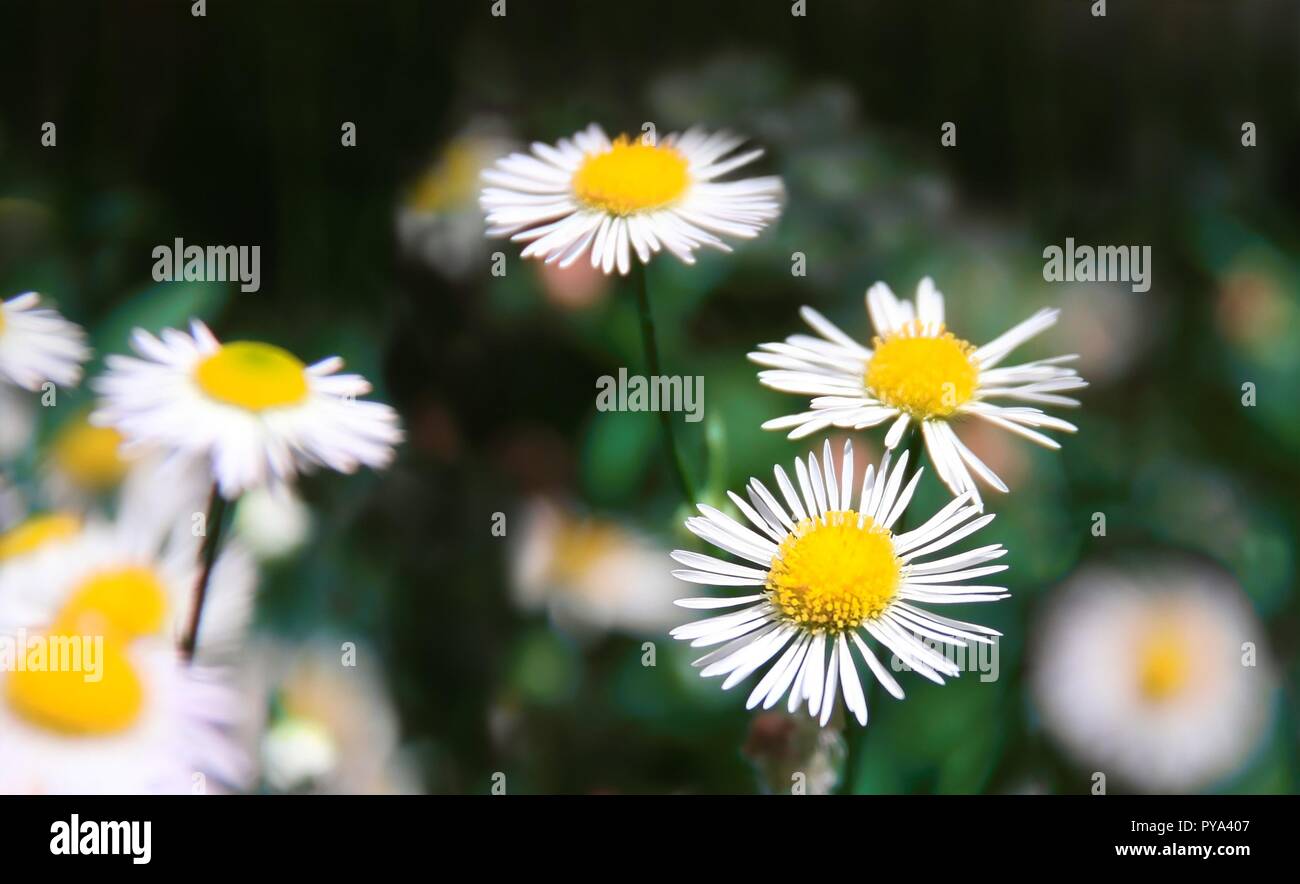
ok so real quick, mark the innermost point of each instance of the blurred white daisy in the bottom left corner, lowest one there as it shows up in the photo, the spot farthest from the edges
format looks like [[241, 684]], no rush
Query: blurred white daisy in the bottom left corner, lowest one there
[[148, 725]]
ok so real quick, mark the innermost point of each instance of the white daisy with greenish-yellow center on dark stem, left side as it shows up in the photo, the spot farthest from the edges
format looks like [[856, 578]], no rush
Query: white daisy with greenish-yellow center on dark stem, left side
[[257, 414]]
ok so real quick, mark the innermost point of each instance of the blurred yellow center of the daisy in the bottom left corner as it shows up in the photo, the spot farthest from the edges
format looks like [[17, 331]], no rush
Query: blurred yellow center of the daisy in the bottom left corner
[[64, 700]]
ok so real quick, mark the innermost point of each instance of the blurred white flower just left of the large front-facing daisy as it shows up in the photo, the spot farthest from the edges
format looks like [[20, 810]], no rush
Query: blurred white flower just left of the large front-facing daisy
[[591, 575]]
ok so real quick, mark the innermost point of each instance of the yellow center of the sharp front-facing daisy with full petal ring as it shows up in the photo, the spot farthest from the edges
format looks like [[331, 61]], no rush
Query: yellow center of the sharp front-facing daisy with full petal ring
[[834, 575]]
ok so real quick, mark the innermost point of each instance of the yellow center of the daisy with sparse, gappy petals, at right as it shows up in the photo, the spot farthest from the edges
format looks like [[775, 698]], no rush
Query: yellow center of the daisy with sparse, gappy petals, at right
[[924, 376]]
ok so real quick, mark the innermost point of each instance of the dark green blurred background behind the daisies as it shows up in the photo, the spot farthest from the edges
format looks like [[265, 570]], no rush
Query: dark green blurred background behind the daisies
[[1121, 129]]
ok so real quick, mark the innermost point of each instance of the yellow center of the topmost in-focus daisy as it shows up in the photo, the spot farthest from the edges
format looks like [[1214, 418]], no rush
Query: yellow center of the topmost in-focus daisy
[[631, 177]]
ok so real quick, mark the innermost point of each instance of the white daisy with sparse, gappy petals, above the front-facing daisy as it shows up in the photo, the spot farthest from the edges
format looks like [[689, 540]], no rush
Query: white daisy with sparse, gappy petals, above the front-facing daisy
[[916, 372]]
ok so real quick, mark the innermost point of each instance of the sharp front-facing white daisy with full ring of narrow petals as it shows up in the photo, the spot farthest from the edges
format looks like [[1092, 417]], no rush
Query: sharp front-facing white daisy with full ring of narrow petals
[[827, 574]]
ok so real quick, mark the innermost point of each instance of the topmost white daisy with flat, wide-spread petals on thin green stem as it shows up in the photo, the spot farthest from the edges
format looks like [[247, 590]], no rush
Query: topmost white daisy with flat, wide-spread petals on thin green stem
[[614, 198]]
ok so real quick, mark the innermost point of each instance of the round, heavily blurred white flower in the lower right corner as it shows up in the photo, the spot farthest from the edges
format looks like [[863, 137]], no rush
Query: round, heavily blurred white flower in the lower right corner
[[1158, 674]]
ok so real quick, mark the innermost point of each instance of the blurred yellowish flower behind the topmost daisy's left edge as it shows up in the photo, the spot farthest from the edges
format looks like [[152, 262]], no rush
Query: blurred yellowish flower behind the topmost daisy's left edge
[[440, 220]]
